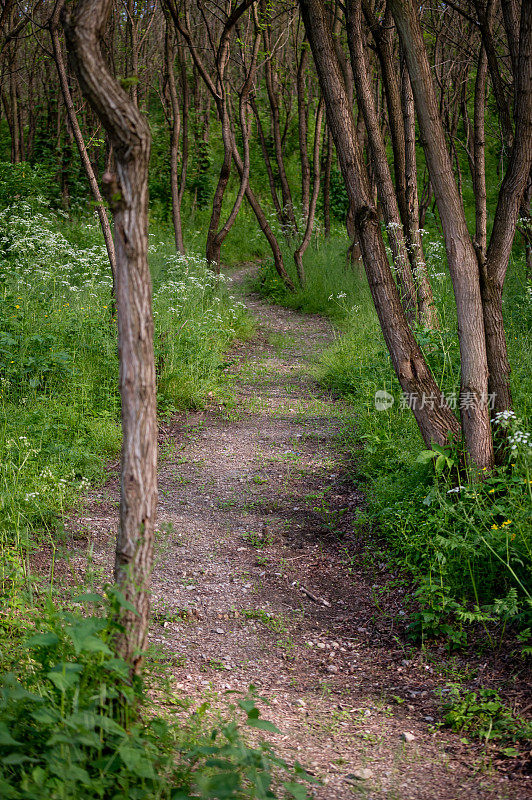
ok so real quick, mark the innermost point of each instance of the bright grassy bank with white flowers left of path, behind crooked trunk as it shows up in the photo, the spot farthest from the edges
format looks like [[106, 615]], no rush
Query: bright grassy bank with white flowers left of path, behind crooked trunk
[[59, 402]]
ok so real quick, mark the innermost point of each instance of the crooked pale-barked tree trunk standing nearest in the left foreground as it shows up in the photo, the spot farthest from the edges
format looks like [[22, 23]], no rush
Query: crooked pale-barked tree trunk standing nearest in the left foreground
[[130, 137]]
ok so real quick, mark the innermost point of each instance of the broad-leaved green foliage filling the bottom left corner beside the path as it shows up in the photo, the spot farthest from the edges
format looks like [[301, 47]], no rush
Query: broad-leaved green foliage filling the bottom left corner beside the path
[[74, 723]]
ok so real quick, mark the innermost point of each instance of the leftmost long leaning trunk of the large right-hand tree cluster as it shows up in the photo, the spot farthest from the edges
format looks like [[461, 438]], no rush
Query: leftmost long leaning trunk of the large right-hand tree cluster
[[435, 419]]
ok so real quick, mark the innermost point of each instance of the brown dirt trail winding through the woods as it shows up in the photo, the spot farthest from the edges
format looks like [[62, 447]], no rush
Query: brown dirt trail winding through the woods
[[257, 581]]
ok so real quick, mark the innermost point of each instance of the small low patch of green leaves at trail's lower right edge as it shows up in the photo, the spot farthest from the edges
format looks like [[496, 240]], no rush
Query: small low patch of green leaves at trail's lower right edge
[[484, 715]]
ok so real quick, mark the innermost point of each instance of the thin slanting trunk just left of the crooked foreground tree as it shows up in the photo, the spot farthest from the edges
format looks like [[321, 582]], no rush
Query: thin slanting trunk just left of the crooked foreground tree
[[53, 26]]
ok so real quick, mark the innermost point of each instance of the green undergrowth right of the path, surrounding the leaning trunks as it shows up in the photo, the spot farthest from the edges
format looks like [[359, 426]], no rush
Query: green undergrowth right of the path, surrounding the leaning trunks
[[468, 545]]
